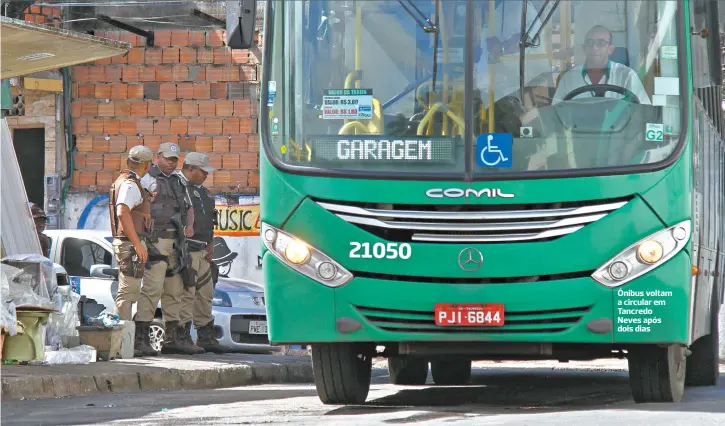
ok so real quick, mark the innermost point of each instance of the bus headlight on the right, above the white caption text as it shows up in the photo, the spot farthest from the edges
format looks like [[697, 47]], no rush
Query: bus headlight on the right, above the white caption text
[[644, 255]]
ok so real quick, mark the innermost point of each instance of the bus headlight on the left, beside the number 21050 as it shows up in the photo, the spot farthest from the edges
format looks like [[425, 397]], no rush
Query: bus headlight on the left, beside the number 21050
[[304, 258]]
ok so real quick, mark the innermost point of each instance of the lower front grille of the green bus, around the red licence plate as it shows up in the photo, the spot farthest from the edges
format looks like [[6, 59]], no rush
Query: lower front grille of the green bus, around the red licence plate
[[406, 321]]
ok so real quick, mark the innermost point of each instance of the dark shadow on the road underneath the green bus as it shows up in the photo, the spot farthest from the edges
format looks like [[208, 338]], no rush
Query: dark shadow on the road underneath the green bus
[[503, 391]]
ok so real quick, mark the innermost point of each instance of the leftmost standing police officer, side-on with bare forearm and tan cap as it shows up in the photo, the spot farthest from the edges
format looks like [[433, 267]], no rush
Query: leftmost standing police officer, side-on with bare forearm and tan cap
[[129, 208]]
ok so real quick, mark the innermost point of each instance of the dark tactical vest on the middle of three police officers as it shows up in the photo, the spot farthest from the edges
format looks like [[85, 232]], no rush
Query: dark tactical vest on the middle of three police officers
[[169, 200]]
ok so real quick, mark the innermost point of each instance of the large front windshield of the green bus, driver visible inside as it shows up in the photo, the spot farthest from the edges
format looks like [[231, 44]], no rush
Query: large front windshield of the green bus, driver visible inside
[[548, 86]]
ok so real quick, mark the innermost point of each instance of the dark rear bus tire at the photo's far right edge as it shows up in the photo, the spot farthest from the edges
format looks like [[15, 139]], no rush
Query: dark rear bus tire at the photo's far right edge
[[703, 362]]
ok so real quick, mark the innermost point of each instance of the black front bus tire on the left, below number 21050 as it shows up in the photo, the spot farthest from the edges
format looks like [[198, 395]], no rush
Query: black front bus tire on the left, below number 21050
[[342, 372]]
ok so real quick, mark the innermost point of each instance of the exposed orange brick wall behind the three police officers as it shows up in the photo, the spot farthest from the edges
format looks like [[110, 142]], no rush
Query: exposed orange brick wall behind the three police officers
[[188, 88]]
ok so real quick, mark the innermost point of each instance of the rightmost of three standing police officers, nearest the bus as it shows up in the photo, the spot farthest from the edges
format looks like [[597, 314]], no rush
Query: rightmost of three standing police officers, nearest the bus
[[197, 300]]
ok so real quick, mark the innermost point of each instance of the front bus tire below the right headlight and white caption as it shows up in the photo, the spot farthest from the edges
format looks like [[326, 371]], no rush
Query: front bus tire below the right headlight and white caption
[[657, 374]]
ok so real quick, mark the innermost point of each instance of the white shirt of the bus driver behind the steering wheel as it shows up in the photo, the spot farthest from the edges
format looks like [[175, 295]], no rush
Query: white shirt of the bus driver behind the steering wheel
[[618, 75]]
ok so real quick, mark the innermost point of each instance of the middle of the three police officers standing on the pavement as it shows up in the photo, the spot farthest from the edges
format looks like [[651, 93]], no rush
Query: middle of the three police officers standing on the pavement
[[162, 279]]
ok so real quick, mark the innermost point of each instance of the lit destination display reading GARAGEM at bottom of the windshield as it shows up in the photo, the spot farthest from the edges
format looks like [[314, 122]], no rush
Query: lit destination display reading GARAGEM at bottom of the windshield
[[383, 150]]
